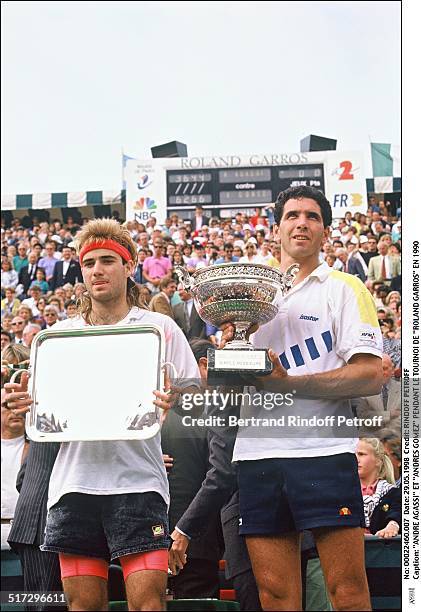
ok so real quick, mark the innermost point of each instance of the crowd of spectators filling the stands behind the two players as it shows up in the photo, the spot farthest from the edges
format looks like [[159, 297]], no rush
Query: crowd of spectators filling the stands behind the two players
[[41, 282]]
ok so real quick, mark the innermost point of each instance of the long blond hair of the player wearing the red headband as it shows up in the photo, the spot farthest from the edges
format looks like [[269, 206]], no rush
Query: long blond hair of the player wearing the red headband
[[107, 229]]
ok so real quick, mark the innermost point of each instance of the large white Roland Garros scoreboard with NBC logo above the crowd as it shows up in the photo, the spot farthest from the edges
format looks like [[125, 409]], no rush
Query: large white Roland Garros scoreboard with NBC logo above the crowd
[[156, 187]]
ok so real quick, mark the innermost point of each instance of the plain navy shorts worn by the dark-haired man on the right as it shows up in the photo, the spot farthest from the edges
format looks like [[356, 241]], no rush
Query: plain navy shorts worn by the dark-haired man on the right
[[283, 495]]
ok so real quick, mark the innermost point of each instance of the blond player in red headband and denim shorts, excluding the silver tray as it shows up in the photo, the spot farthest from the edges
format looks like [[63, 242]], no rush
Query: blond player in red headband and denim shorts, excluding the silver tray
[[109, 499]]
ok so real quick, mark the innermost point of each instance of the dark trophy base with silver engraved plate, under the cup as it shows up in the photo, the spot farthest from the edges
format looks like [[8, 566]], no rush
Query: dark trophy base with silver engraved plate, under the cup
[[232, 366]]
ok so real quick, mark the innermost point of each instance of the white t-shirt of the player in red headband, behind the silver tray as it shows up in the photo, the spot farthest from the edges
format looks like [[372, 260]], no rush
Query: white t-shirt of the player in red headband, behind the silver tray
[[116, 467]]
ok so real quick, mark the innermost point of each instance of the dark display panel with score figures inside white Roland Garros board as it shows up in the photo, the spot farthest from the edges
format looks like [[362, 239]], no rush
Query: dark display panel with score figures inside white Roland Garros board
[[240, 187]]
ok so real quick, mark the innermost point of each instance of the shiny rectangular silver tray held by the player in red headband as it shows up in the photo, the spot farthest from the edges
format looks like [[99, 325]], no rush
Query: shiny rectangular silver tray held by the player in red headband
[[94, 383]]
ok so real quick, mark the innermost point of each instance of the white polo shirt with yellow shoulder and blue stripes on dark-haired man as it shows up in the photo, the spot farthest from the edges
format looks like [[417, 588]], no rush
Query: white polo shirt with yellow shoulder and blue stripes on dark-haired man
[[322, 322]]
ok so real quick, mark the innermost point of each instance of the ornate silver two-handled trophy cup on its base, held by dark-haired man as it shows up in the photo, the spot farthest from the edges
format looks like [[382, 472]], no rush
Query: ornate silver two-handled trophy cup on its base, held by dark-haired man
[[243, 294]]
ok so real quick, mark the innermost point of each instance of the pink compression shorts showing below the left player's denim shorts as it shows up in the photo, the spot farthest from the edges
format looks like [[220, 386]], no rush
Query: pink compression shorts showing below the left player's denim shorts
[[76, 565]]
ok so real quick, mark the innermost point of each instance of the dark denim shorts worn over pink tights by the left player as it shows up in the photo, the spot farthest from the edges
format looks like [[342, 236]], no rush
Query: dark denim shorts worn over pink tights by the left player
[[107, 526]]
